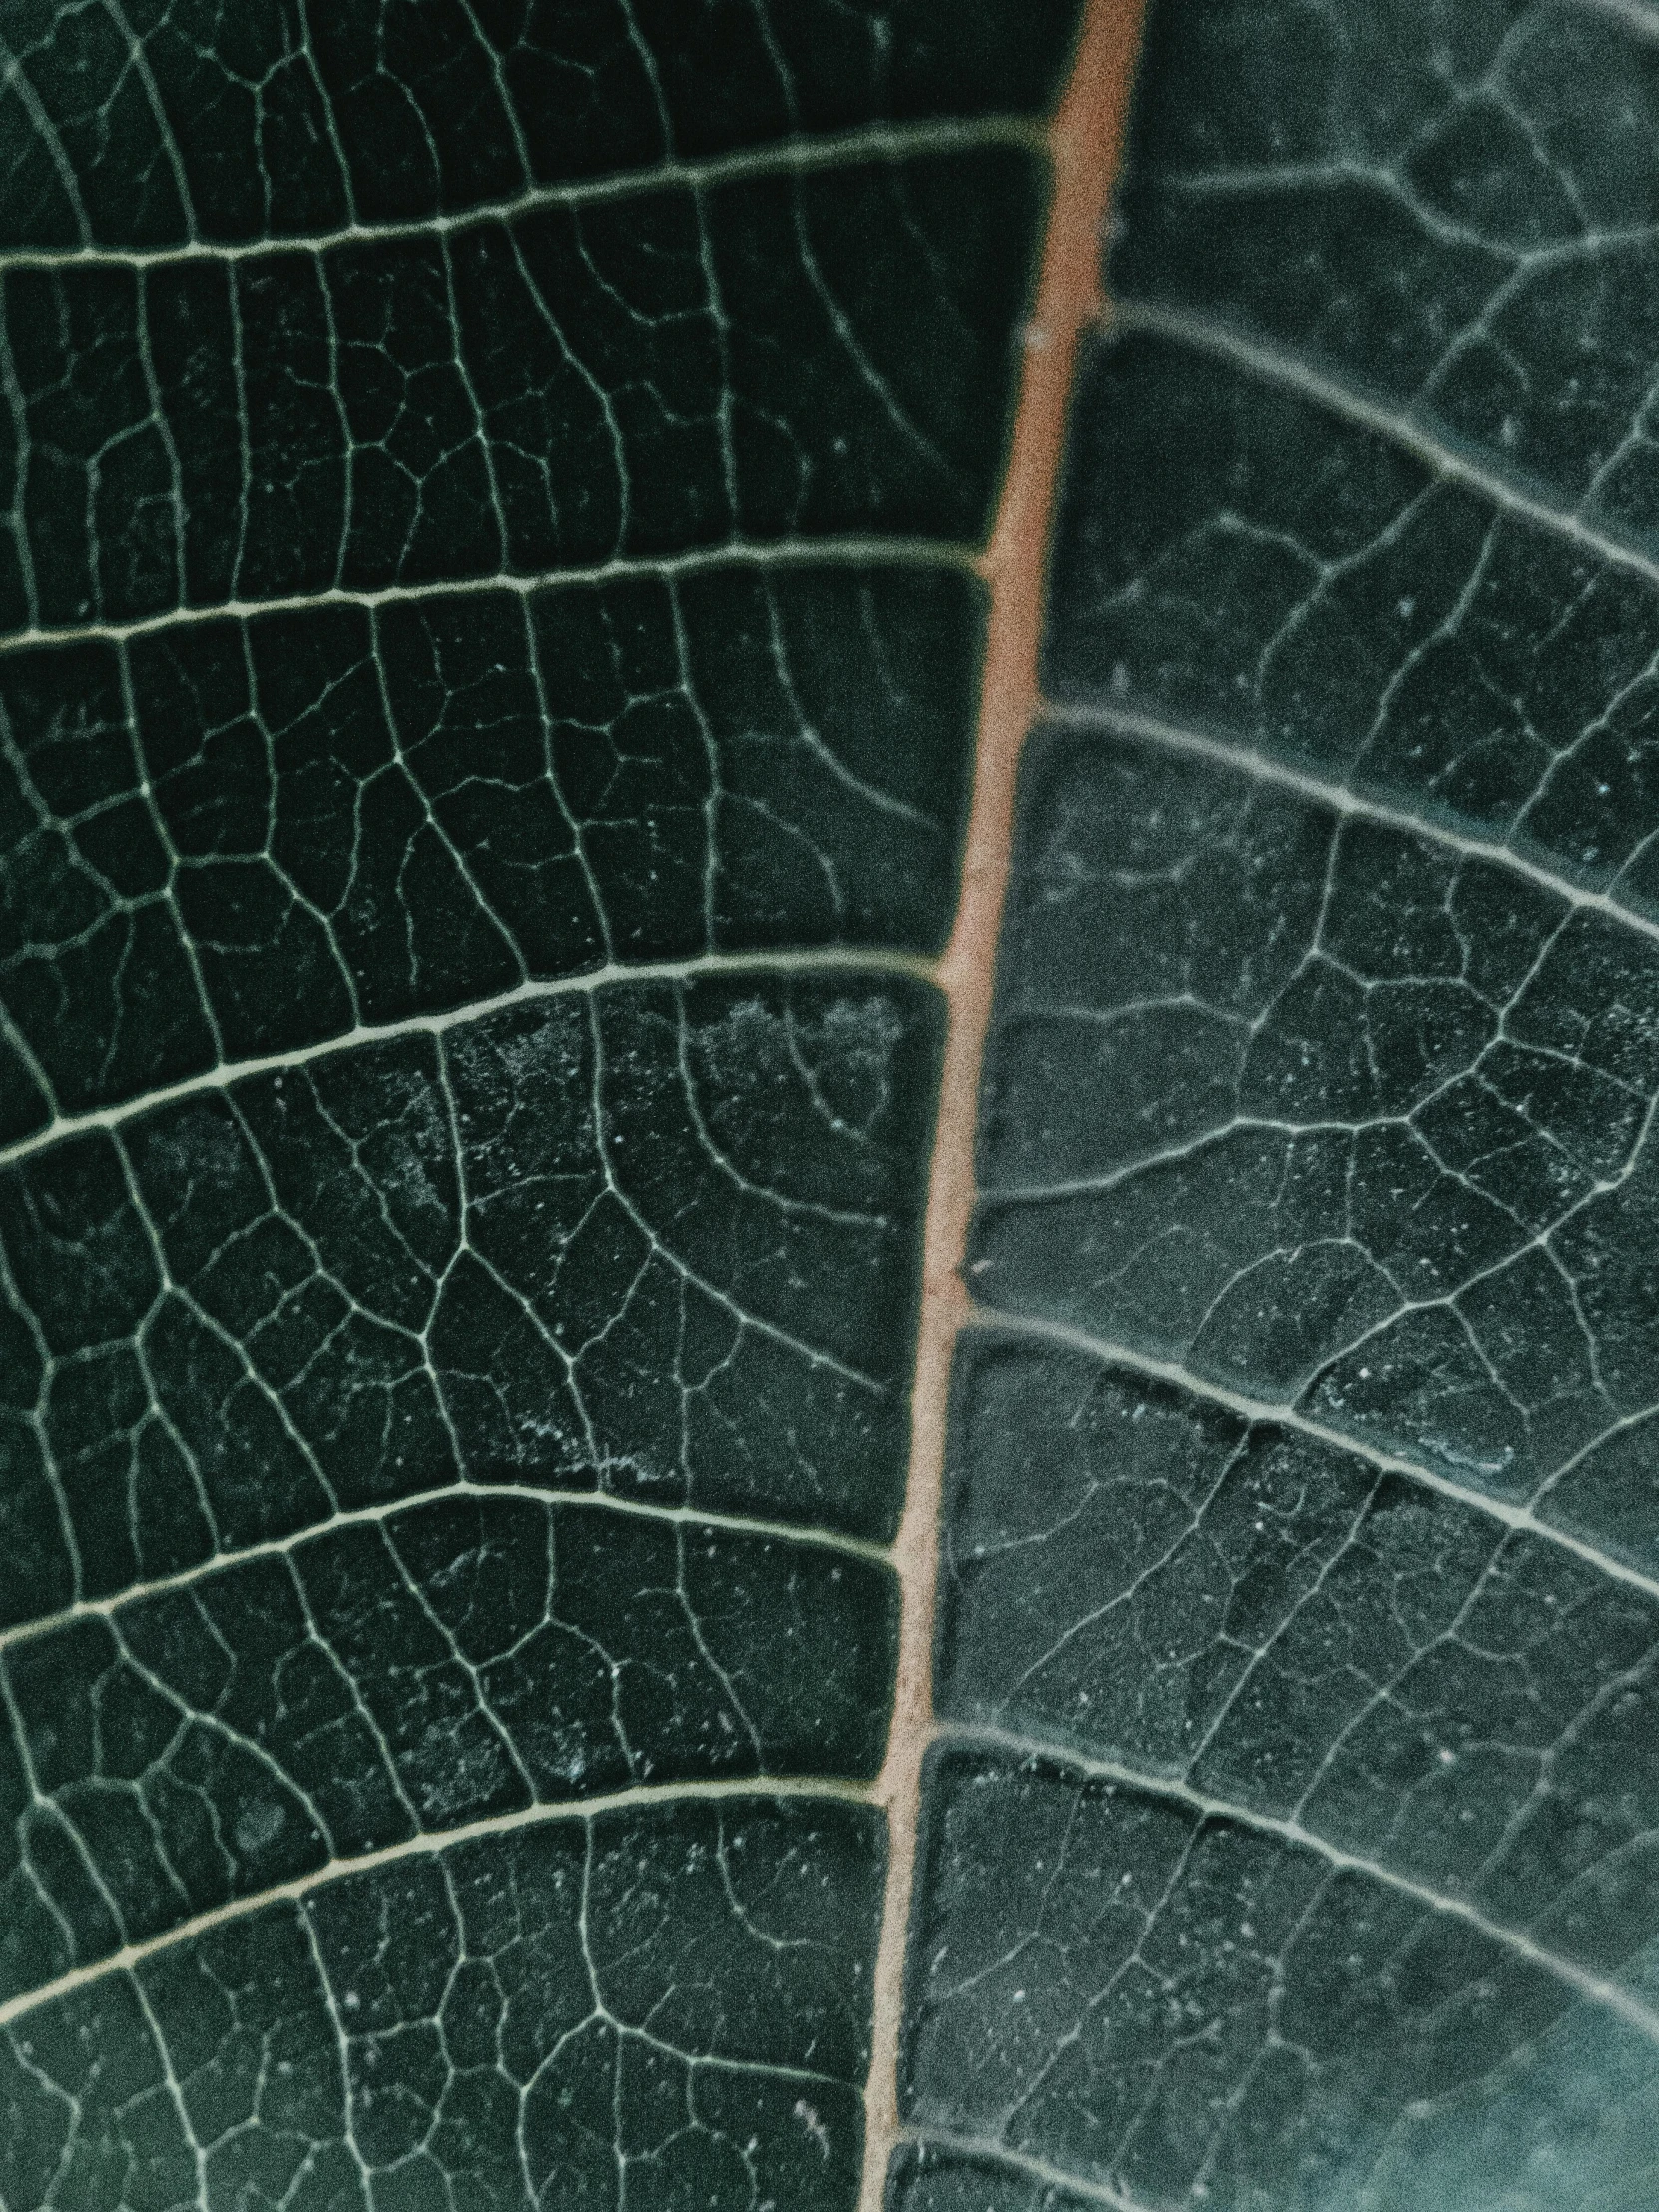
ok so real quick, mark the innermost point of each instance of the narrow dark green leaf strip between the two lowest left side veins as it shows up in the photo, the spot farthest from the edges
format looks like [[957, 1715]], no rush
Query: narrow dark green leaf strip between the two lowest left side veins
[[461, 1662]]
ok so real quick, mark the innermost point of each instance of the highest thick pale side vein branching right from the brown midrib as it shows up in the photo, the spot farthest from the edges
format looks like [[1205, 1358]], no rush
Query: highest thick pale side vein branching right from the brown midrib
[[1390, 424]]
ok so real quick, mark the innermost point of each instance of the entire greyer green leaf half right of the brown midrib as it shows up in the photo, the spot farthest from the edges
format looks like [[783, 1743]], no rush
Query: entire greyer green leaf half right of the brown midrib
[[1291, 1841]]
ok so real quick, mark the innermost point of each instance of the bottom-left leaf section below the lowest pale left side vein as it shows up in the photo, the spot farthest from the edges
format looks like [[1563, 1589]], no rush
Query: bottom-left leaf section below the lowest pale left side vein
[[574, 2014]]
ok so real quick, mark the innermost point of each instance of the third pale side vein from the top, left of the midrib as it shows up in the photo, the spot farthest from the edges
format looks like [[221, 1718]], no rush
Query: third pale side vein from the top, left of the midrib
[[828, 961]]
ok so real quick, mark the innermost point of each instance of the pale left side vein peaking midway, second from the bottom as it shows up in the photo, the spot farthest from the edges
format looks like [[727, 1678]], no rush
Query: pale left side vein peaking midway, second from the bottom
[[282, 1547]]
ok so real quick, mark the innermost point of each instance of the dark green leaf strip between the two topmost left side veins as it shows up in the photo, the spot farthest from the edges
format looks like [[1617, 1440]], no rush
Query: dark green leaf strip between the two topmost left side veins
[[820, 355]]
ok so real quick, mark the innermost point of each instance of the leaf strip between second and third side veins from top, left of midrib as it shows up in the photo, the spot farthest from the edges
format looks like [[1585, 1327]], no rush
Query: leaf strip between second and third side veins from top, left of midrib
[[251, 837]]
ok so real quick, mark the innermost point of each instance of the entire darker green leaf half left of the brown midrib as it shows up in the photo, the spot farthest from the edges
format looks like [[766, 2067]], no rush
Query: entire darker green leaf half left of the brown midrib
[[486, 517]]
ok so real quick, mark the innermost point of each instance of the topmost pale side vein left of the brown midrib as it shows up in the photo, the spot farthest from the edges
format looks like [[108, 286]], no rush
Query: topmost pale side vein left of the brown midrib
[[786, 158]]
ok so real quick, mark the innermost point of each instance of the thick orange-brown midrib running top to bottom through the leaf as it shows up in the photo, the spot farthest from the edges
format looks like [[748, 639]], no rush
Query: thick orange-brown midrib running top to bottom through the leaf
[[1085, 147]]
